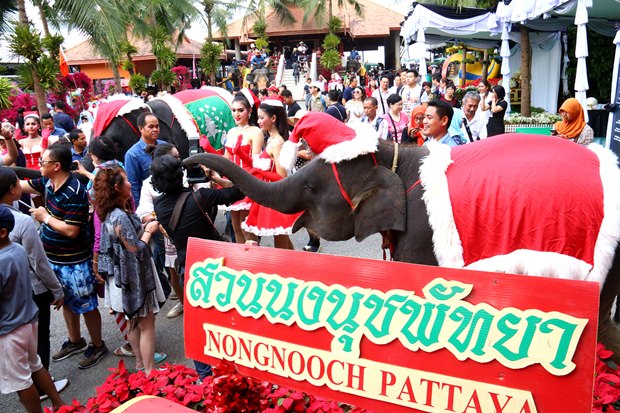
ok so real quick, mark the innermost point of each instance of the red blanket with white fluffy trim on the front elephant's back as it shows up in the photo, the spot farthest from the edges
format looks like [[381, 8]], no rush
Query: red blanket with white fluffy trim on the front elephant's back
[[520, 203]]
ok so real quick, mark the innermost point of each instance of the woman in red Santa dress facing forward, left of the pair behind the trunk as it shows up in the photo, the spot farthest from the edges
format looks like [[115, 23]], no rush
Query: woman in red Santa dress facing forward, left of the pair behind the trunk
[[243, 142]]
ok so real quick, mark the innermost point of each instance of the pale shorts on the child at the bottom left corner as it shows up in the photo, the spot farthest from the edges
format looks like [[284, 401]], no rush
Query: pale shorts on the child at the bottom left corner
[[19, 358]]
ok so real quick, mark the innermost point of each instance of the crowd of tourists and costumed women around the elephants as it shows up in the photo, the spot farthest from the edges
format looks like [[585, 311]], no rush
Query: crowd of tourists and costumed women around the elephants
[[120, 231]]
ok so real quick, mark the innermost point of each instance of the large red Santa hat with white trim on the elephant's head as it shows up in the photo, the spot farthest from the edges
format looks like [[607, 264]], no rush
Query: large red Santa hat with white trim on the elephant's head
[[329, 139]]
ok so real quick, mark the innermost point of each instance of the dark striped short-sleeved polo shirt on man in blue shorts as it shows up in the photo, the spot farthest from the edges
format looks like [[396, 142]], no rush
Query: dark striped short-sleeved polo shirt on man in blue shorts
[[69, 204]]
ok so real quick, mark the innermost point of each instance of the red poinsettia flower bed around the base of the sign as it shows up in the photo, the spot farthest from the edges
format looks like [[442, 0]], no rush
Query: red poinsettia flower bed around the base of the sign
[[229, 391]]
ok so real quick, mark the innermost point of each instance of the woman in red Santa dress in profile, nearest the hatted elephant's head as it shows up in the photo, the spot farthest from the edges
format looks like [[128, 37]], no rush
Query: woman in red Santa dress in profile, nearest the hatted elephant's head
[[263, 221]]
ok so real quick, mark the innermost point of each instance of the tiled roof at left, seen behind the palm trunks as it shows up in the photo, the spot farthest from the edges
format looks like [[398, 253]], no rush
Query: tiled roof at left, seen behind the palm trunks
[[85, 53]]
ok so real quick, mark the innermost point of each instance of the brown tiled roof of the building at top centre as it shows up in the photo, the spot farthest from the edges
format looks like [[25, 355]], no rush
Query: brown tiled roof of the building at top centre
[[377, 21]]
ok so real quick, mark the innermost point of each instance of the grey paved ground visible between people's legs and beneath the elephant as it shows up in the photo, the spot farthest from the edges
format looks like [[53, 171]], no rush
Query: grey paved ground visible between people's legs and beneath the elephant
[[169, 332]]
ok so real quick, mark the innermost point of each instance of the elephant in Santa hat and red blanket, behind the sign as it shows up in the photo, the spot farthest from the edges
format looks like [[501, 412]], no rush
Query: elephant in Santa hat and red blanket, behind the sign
[[515, 203]]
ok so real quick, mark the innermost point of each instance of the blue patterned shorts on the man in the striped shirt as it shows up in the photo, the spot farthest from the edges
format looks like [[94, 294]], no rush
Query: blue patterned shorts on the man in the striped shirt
[[79, 284]]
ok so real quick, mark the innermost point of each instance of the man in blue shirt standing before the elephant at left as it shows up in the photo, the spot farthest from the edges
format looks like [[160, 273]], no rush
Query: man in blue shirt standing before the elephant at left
[[137, 161]]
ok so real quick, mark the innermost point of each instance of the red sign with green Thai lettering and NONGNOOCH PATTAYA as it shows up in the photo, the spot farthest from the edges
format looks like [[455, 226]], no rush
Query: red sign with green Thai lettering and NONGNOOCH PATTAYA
[[392, 336]]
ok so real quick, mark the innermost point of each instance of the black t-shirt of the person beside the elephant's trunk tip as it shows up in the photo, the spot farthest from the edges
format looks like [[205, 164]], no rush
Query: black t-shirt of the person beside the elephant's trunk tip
[[192, 222]]
